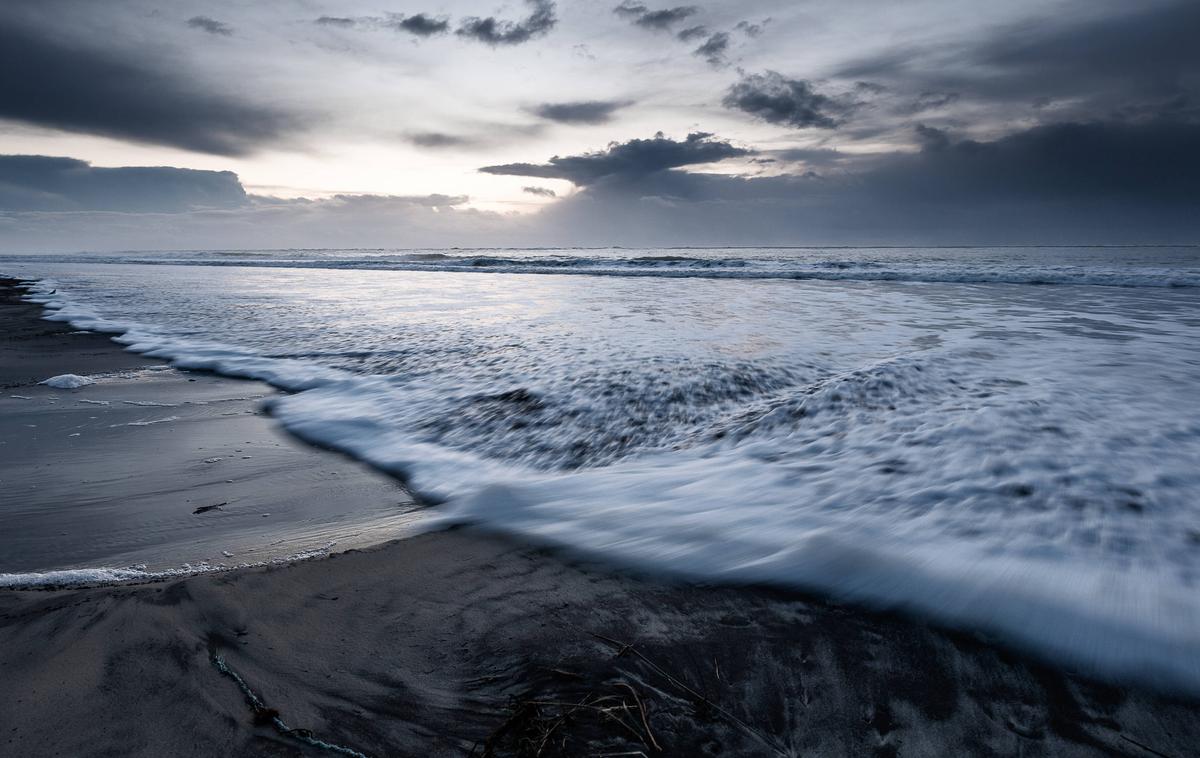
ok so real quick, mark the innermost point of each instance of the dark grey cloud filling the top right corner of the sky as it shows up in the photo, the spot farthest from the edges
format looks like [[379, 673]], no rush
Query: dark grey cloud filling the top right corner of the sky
[[1139, 61]]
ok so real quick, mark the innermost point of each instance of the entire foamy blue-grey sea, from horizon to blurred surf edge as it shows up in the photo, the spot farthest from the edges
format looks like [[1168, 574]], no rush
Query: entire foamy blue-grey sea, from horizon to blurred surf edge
[[1004, 440]]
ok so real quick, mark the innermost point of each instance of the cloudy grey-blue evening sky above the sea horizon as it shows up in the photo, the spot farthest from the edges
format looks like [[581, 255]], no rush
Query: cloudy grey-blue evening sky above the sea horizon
[[139, 125]]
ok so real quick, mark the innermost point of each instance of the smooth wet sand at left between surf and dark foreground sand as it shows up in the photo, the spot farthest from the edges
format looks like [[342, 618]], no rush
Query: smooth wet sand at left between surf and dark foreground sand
[[173, 471]]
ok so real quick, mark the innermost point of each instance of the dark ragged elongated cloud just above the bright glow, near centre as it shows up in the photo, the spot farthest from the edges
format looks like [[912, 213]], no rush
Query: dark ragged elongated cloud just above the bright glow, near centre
[[627, 161]]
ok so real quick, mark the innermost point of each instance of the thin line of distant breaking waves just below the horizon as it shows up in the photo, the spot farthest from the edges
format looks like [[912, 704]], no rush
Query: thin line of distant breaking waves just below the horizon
[[941, 270]]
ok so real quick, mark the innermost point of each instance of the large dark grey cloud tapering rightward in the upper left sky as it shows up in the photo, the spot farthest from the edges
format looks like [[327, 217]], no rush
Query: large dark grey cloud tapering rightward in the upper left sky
[[49, 82]]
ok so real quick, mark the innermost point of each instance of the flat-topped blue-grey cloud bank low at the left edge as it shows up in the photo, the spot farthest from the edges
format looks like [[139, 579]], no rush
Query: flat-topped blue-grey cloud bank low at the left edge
[[50, 184]]
